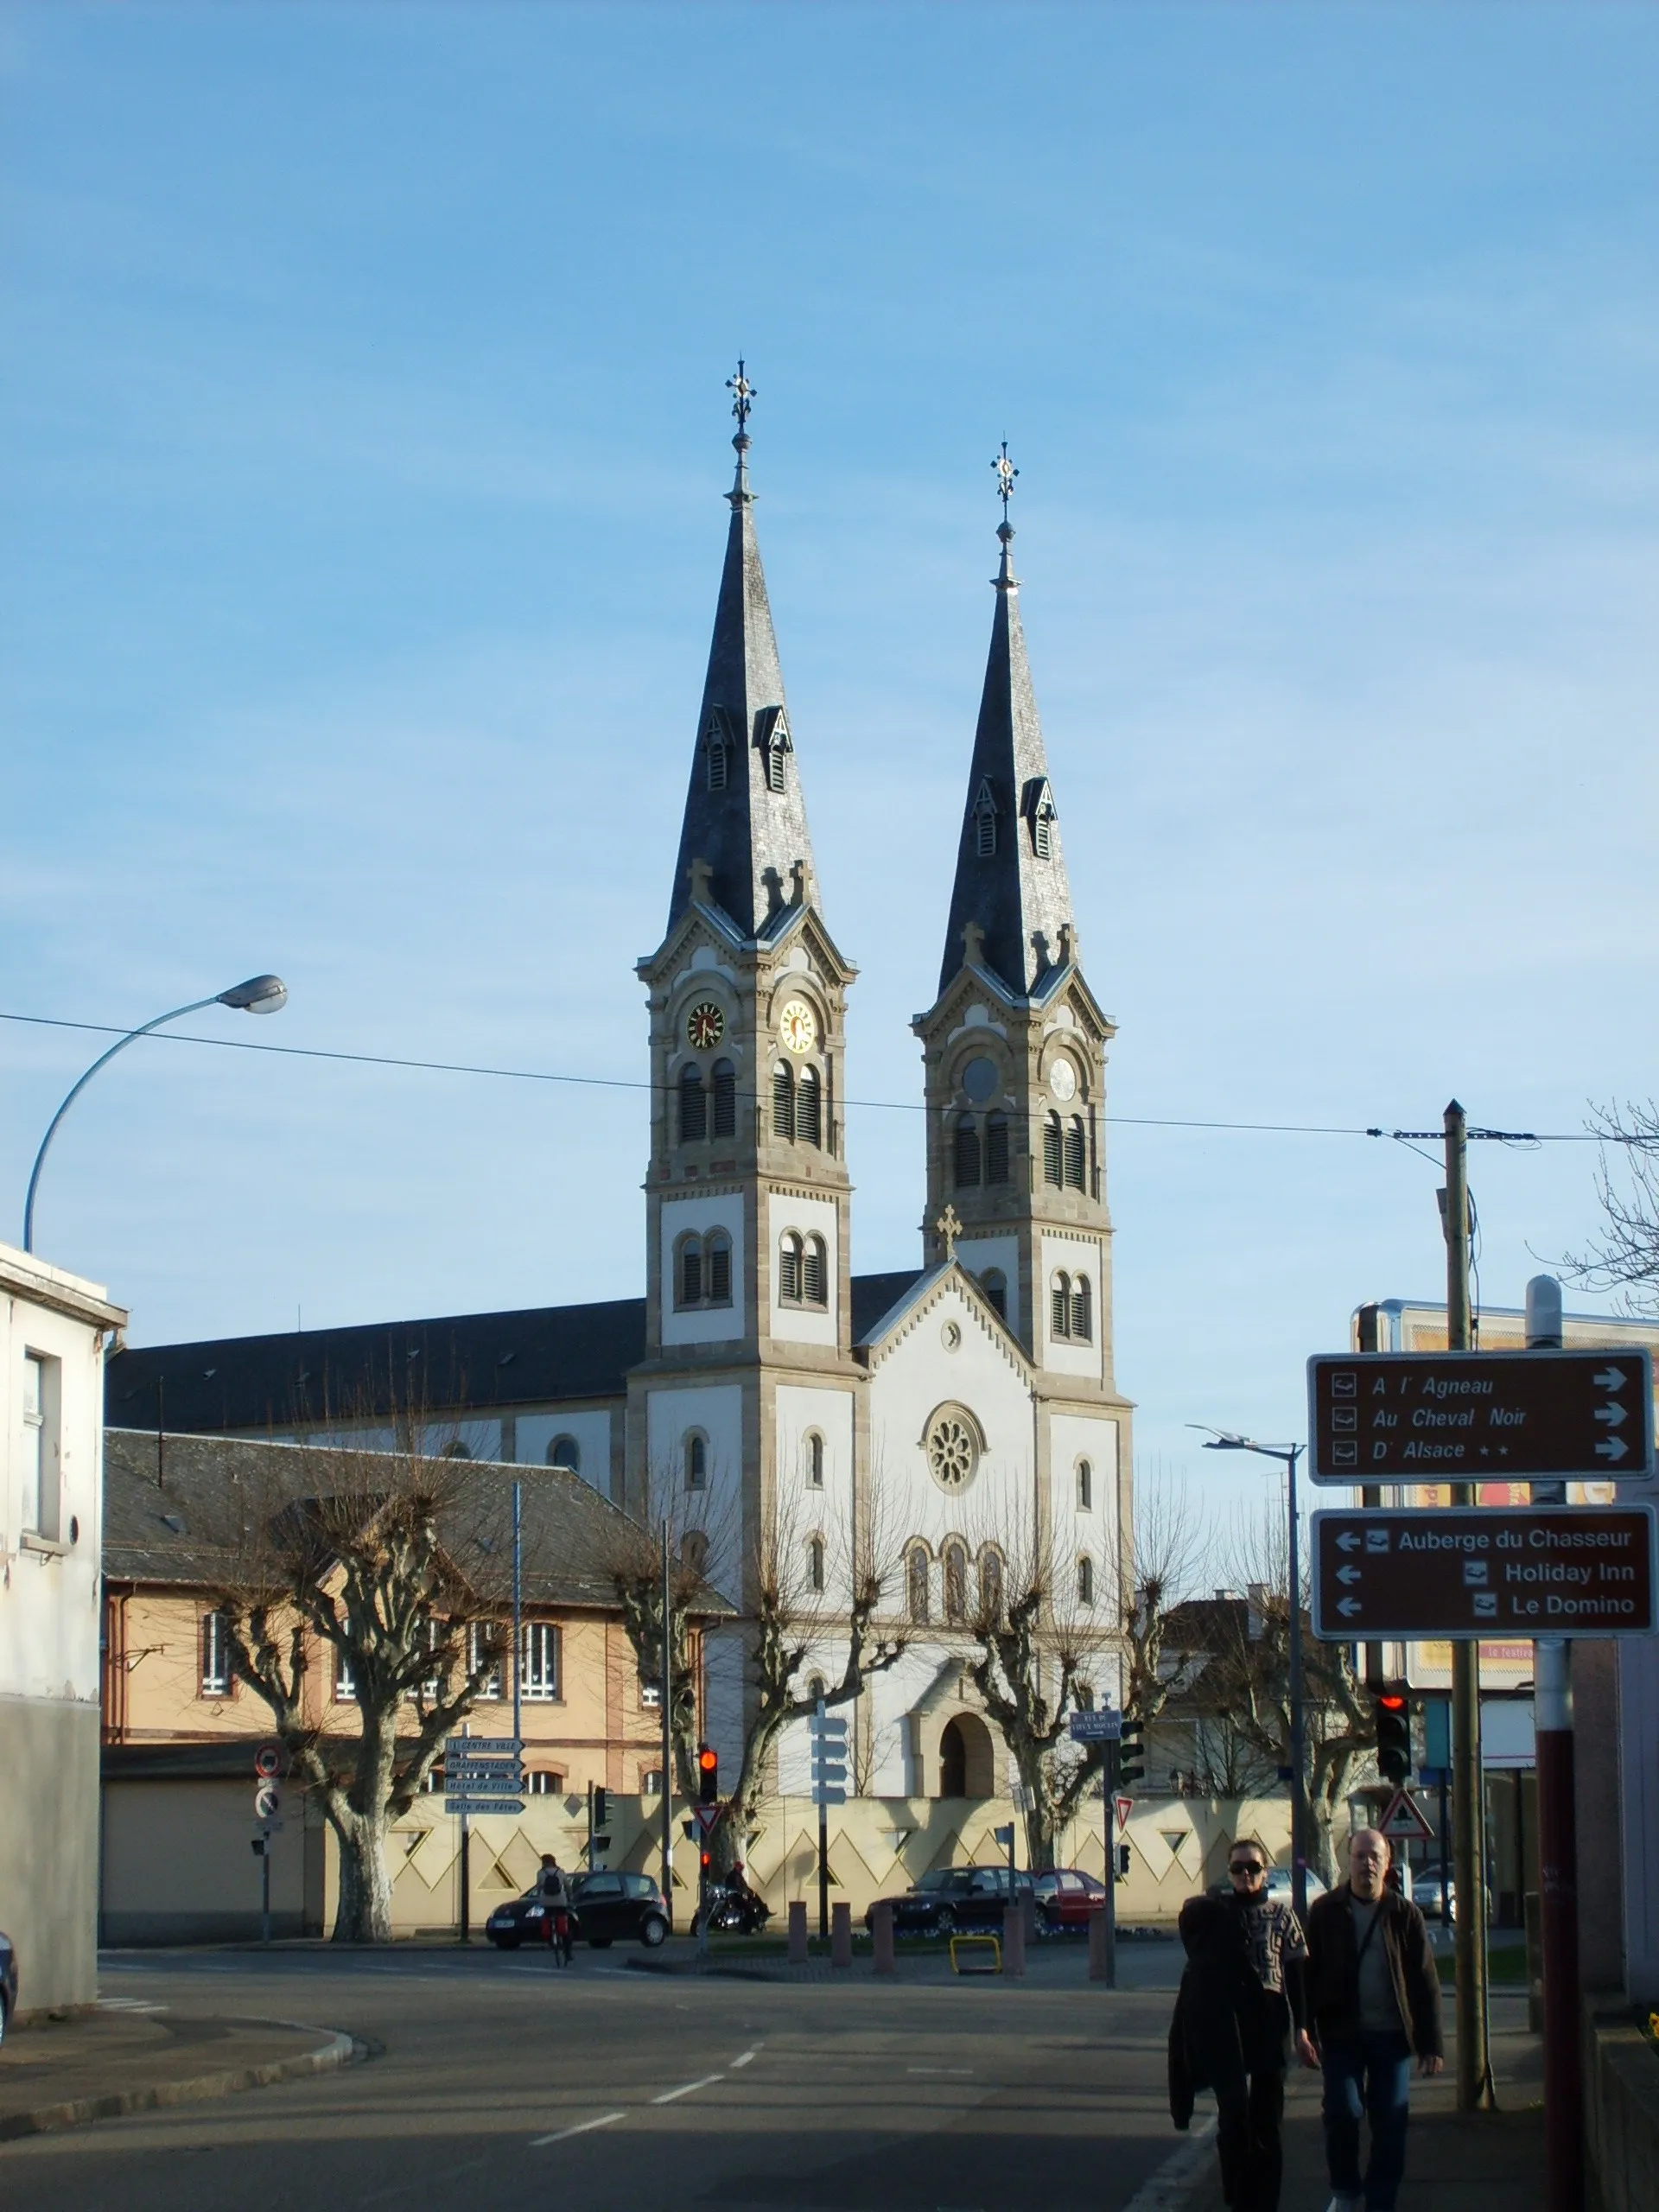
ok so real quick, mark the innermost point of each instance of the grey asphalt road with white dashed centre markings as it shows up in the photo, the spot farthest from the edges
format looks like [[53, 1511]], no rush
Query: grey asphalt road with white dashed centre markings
[[501, 2083]]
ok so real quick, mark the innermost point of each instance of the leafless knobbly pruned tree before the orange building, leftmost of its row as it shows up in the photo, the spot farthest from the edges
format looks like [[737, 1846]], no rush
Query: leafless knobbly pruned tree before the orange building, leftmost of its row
[[397, 1565]]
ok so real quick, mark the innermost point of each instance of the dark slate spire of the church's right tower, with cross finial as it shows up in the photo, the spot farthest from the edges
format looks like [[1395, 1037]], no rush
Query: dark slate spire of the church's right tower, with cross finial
[[1010, 870]]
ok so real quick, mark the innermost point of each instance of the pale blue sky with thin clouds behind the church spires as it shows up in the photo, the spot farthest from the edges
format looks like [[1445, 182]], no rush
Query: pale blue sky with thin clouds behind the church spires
[[364, 448]]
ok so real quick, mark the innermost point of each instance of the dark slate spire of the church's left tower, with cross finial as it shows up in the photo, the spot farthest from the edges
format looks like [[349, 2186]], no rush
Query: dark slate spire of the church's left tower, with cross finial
[[747, 817]]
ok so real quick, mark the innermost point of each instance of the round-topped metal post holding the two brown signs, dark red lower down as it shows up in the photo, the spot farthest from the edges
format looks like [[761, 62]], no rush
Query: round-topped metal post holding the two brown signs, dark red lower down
[[1558, 1850]]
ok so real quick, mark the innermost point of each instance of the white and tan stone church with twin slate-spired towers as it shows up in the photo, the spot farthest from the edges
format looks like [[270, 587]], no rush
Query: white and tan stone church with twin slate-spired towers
[[954, 1423]]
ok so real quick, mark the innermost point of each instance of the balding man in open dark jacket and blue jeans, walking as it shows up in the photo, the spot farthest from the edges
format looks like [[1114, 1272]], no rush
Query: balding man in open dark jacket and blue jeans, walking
[[1375, 1999]]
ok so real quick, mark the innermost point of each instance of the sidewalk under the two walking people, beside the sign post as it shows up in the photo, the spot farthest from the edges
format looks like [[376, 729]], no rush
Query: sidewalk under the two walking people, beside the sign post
[[1457, 2162]]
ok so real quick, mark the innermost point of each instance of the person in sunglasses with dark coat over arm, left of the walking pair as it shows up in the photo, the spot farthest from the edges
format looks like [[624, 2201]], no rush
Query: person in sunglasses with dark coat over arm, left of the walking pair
[[1240, 1996]]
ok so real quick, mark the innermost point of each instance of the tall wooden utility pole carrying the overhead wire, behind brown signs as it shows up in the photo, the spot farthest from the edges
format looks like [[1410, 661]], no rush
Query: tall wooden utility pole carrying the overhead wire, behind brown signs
[[1468, 1777]]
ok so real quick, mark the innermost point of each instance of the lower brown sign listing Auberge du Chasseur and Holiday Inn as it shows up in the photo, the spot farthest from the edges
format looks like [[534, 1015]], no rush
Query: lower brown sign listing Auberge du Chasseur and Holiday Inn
[[1483, 1572]]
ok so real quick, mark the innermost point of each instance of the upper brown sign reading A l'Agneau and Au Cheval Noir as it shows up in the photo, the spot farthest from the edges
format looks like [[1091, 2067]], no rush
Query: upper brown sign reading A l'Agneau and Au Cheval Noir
[[1479, 1417]]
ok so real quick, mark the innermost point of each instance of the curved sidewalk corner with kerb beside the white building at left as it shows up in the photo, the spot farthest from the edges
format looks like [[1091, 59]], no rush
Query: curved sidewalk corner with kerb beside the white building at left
[[134, 2058]]
